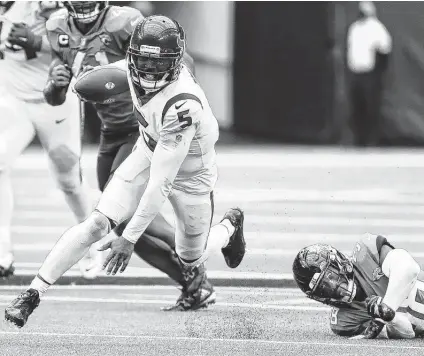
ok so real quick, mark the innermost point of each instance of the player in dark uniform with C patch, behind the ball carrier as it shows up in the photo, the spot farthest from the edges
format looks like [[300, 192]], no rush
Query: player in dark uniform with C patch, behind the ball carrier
[[86, 34]]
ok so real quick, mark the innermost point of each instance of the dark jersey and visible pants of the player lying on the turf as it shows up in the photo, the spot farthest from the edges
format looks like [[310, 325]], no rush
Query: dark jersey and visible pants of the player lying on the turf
[[353, 319]]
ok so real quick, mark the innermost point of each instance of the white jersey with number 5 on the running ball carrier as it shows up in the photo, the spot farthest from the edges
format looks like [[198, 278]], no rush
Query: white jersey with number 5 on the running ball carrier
[[179, 105]]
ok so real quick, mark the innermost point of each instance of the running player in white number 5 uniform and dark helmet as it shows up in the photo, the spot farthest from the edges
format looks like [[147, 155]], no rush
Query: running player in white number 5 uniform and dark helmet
[[174, 159]]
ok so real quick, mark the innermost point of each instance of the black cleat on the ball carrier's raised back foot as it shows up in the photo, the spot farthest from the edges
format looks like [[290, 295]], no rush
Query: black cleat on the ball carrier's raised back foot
[[236, 248]]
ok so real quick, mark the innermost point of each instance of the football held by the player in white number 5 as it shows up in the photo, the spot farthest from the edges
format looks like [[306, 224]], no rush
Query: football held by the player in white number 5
[[101, 84]]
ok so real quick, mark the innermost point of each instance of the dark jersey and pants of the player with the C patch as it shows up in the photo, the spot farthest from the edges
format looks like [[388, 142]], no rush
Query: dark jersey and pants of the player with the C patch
[[105, 43]]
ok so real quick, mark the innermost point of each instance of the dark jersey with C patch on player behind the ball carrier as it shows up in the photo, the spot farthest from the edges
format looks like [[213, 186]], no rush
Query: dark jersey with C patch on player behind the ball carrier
[[104, 43]]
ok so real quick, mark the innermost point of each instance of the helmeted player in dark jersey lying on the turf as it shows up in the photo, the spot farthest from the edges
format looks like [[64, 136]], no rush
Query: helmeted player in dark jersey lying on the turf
[[378, 291]]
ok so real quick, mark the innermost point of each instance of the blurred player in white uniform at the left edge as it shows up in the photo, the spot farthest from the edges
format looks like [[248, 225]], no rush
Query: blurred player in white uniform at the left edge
[[25, 54]]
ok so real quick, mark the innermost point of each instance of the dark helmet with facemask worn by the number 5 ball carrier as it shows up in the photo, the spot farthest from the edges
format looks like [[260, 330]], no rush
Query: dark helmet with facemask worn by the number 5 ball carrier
[[155, 52]]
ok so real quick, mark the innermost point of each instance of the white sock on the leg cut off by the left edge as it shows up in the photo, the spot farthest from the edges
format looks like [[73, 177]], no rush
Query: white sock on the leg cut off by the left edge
[[6, 211]]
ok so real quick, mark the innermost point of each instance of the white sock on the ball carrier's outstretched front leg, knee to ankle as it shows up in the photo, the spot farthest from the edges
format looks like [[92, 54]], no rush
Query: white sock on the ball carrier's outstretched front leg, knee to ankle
[[72, 246]]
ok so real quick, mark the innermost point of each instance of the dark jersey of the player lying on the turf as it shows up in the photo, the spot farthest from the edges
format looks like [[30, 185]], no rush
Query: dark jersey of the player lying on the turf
[[353, 319]]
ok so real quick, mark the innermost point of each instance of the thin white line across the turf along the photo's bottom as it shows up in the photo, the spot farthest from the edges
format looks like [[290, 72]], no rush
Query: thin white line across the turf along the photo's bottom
[[204, 339]]
